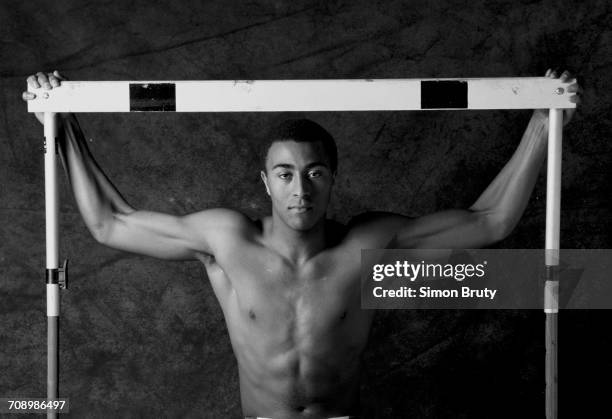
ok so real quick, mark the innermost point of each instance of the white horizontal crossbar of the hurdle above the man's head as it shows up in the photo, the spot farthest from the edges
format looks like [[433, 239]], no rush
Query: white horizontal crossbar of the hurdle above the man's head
[[303, 95]]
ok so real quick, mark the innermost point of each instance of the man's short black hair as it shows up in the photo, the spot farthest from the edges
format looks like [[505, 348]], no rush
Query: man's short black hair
[[302, 130]]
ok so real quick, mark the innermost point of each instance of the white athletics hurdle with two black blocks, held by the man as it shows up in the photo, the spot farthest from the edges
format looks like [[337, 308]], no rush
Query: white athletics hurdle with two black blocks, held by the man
[[314, 95]]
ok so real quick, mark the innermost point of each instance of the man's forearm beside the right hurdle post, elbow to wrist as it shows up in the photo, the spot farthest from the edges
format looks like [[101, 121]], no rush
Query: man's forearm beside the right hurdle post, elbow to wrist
[[505, 199]]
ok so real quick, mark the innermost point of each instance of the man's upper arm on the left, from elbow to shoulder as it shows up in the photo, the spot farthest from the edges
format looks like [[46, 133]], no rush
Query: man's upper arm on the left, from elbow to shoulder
[[167, 236]]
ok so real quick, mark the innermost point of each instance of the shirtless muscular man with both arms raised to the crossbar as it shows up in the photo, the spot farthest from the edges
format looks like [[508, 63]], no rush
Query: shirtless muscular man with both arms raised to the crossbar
[[289, 284]]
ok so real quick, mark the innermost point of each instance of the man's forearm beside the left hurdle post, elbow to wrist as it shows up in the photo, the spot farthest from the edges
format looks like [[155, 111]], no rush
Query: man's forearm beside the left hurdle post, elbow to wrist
[[97, 199]]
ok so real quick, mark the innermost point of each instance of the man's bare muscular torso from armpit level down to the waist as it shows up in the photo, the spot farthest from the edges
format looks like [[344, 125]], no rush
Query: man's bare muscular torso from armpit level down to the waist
[[298, 343]]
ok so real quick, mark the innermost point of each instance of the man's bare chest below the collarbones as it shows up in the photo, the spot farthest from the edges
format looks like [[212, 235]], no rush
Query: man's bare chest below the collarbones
[[267, 290]]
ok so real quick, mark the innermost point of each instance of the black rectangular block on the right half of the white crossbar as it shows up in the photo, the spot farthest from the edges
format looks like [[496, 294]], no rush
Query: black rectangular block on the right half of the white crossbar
[[444, 94]]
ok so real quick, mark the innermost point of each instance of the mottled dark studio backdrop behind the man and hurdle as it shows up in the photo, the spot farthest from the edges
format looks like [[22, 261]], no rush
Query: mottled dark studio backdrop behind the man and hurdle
[[146, 338]]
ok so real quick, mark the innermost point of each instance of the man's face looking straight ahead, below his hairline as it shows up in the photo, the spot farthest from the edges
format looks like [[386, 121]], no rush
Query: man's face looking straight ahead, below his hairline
[[299, 180]]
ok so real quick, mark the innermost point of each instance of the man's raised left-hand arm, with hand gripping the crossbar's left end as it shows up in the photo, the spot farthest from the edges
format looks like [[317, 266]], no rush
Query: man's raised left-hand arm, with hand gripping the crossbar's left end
[[115, 223]]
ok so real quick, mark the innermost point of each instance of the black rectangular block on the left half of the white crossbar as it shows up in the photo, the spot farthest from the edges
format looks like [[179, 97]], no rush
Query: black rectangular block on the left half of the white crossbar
[[152, 97]]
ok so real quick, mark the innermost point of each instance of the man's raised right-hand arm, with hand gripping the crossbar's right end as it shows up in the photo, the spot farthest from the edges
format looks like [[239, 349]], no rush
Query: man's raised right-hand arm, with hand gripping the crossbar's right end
[[498, 209]]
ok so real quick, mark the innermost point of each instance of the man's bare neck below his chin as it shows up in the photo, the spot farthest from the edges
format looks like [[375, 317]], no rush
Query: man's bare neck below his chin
[[295, 245]]
